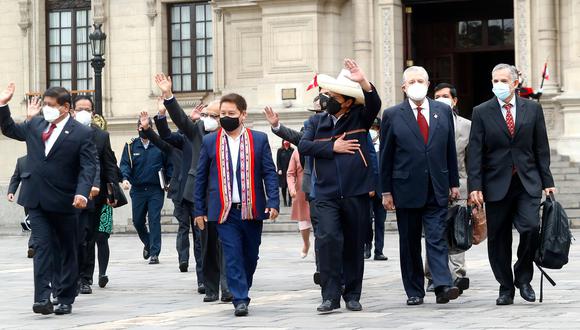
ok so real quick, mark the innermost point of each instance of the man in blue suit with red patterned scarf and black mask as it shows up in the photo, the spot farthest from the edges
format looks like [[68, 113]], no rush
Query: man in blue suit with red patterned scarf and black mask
[[235, 173]]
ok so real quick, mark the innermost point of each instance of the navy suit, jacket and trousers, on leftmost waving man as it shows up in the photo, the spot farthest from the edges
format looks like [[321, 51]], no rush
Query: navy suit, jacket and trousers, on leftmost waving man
[[49, 186]]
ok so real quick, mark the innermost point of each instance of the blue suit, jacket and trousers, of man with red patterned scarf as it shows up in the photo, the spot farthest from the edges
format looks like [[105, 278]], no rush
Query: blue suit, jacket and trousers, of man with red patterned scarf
[[240, 238]]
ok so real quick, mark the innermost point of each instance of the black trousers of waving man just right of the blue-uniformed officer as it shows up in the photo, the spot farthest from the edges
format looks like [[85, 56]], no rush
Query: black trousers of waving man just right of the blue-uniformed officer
[[183, 213]]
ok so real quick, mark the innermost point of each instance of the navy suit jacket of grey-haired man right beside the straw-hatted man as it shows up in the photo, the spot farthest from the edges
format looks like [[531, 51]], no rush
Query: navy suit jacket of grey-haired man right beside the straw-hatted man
[[407, 163]]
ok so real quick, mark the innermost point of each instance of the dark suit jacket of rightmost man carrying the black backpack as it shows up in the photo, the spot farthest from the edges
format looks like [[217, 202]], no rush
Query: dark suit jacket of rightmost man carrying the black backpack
[[493, 153]]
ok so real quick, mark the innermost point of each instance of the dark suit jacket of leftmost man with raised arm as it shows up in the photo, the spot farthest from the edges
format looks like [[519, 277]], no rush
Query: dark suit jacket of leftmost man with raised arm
[[69, 169]]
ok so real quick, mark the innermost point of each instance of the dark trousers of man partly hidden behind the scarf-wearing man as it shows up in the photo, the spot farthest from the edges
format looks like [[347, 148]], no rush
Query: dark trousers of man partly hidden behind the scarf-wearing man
[[214, 271]]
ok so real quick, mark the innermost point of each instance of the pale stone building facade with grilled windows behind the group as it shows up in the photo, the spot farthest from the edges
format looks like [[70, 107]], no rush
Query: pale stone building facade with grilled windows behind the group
[[269, 51]]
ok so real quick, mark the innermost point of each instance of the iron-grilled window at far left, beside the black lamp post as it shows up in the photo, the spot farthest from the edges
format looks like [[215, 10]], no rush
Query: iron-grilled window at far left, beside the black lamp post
[[68, 45]]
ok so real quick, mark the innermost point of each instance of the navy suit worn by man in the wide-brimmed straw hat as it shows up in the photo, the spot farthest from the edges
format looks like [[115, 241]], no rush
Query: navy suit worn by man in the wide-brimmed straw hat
[[341, 196]]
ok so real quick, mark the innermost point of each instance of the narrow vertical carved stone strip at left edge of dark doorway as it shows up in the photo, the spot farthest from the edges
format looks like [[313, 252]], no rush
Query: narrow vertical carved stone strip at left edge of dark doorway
[[388, 55]]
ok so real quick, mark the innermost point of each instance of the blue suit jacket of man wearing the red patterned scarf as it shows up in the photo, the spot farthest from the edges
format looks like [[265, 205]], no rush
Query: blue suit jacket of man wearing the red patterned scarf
[[206, 180]]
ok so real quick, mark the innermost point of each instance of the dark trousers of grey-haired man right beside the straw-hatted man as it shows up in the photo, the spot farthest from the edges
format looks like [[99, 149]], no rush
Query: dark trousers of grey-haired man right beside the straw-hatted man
[[411, 222]]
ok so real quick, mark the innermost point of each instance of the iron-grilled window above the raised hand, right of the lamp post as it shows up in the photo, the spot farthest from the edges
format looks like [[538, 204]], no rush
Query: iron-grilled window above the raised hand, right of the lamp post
[[191, 47]]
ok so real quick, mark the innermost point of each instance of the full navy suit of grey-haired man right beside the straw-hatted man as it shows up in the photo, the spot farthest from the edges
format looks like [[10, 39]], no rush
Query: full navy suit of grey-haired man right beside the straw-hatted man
[[419, 177]]
